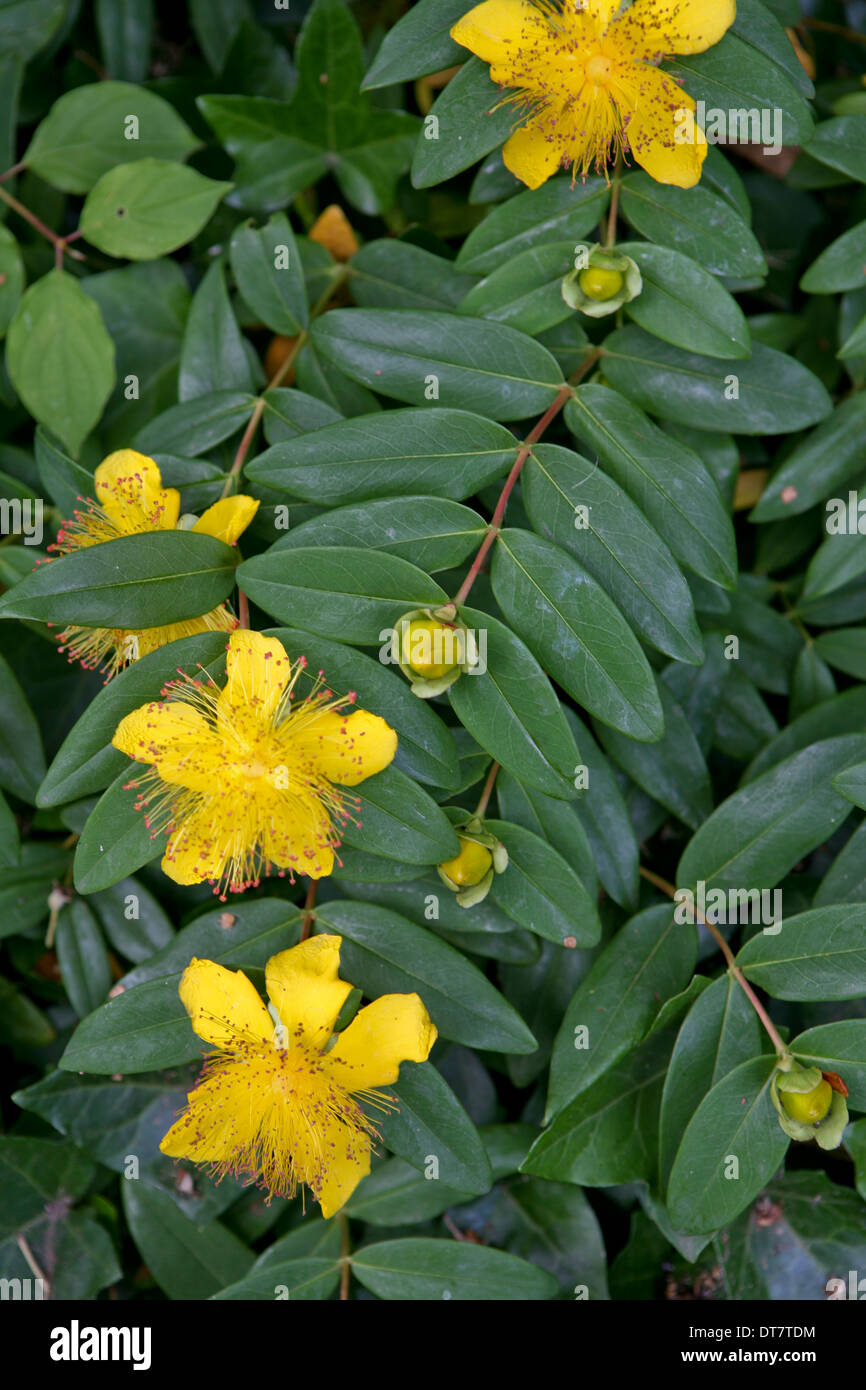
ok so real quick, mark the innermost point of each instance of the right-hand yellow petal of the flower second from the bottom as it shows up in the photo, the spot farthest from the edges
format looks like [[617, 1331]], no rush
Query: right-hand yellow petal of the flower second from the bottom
[[344, 749]]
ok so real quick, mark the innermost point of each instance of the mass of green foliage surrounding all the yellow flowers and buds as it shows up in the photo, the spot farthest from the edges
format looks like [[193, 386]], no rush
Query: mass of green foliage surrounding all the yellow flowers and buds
[[561, 1170]]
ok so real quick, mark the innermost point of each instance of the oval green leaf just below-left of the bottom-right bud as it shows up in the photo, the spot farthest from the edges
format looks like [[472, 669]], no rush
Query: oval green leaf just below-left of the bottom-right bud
[[736, 1120]]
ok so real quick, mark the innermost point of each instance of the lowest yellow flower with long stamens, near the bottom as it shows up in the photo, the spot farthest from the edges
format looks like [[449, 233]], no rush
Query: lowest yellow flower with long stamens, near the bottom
[[276, 1104]]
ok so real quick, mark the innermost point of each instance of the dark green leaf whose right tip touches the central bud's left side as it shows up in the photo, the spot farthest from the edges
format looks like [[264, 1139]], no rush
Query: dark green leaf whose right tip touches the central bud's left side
[[340, 593]]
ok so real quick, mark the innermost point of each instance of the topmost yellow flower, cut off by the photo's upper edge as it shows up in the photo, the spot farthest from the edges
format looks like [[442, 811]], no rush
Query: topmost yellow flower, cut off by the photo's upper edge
[[589, 84]]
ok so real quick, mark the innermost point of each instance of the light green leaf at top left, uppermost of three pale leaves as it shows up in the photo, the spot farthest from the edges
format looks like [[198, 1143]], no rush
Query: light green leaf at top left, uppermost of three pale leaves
[[94, 129]]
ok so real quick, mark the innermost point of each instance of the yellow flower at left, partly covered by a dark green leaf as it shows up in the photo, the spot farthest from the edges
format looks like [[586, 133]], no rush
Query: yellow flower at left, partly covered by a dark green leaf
[[134, 501]]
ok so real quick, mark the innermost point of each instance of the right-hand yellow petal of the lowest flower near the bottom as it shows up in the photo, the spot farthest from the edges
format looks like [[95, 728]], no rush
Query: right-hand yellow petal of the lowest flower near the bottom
[[394, 1029]]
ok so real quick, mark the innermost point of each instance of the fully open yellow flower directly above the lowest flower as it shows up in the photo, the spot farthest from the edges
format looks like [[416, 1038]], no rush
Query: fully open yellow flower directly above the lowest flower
[[248, 779]]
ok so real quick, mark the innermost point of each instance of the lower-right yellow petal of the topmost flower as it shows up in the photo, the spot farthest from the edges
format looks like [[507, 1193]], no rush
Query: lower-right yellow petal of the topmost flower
[[657, 130]]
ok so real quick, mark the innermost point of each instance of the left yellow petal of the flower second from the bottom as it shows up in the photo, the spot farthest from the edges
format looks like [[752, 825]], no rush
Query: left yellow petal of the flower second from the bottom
[[174, 737]]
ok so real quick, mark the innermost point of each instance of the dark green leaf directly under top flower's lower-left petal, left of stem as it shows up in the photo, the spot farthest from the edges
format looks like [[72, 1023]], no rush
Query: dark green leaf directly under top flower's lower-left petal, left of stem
[[557, 212]]
